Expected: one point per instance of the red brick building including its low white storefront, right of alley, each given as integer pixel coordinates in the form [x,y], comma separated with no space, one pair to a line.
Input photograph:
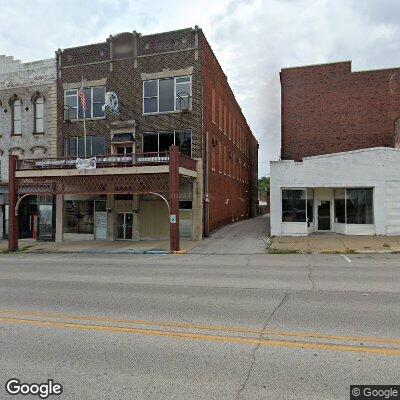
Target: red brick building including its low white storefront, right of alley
[339,152]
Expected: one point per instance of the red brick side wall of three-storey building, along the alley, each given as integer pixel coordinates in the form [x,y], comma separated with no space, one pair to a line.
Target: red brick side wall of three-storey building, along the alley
[232,149]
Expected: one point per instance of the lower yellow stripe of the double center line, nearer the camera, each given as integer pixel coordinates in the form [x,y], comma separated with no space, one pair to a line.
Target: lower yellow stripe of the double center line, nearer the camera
[204,337]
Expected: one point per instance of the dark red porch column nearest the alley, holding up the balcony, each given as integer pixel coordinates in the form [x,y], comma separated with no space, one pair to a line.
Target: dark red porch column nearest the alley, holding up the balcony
[174,198]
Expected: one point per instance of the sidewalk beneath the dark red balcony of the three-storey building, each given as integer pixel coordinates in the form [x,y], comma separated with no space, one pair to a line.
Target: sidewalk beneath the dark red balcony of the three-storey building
[97,246]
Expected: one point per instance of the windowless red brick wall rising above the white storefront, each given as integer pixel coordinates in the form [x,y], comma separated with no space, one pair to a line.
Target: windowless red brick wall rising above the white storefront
[328,109]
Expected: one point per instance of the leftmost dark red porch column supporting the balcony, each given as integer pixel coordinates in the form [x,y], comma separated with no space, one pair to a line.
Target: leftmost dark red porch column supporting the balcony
[12,202]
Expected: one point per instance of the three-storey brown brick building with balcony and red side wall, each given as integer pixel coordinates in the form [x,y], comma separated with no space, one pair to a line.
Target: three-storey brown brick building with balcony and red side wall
[171,91]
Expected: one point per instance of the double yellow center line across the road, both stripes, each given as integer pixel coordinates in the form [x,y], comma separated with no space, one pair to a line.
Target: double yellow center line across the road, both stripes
[210,333]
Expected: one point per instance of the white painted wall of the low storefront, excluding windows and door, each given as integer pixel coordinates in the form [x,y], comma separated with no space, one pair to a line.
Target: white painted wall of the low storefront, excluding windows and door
[375,167]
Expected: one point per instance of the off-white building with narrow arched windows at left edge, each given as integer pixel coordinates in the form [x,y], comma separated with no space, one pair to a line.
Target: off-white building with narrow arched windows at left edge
[28,130]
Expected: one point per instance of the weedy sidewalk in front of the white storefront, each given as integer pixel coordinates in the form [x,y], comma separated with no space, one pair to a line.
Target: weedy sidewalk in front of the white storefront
[333,243]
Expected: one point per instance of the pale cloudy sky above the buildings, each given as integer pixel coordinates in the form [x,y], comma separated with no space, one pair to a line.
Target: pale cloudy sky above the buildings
[252,39]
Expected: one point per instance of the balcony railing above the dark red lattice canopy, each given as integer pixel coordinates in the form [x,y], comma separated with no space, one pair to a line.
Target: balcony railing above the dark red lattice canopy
[106,161]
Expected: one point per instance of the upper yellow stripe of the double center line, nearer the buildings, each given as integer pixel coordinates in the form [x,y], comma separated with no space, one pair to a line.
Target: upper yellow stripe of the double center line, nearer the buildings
[204,327]
